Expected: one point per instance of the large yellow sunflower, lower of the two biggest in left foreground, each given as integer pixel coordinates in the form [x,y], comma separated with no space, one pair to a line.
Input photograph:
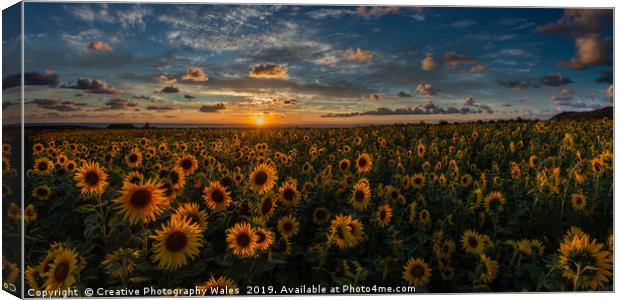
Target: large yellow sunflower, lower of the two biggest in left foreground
[175,242]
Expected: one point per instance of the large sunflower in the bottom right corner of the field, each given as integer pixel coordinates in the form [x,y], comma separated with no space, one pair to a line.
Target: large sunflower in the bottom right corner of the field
[583,262]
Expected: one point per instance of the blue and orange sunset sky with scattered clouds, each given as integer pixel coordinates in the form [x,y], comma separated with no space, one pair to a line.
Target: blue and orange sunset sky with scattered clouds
[265,65]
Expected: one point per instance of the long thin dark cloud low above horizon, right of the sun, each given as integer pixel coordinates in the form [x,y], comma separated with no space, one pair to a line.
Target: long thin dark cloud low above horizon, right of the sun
[426,109]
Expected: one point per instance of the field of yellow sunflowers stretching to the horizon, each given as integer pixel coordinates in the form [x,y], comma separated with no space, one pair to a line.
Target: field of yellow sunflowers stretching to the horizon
[477,207]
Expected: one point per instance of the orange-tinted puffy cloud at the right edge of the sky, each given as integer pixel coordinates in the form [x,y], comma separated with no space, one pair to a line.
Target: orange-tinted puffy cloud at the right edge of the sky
[591,51]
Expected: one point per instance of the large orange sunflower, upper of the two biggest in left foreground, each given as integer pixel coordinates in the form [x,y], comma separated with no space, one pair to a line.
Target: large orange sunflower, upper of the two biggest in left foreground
[143,202]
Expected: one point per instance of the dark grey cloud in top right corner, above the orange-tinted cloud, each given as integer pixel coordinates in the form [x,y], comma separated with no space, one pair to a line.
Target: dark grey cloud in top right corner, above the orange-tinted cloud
[579,22]
